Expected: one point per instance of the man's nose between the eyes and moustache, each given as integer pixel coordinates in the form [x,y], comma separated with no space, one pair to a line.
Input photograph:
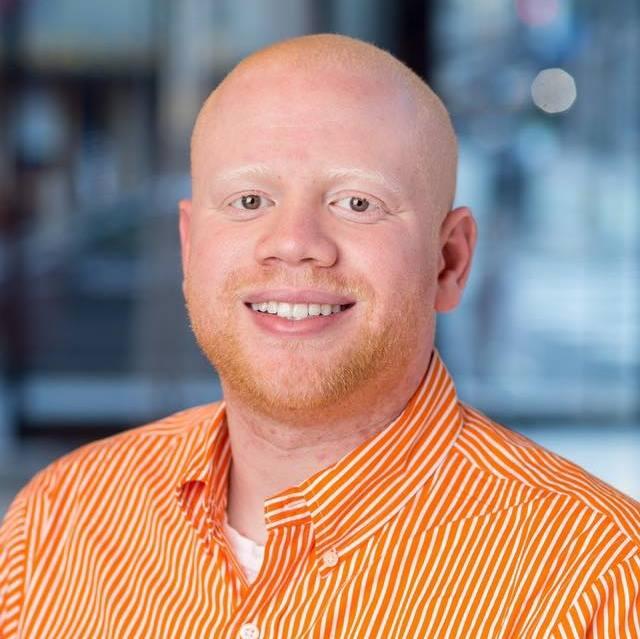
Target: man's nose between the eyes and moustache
[297,231]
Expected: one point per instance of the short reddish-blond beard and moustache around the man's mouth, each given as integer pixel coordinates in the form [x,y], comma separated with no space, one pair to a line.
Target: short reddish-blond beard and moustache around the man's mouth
[297,379]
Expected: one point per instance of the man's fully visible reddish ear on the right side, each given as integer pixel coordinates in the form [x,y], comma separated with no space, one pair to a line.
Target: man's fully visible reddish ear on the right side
[458,235]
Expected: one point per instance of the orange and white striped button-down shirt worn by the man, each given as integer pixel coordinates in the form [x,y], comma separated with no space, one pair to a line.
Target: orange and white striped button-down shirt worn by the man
[445,524]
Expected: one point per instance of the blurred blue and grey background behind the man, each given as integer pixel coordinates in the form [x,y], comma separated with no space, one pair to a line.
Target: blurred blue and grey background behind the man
[97,101]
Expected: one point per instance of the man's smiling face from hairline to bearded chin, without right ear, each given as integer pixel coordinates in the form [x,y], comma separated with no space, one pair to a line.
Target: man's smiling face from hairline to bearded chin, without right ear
[282,173]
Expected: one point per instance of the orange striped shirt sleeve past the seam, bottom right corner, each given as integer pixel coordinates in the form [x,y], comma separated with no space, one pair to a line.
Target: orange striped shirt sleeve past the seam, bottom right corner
[610,608]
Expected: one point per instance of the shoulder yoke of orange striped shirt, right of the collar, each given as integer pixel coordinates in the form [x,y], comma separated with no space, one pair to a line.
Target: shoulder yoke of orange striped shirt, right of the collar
[508,455]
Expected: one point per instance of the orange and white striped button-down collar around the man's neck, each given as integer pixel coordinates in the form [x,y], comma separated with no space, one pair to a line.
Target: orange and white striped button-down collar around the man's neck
[347,501]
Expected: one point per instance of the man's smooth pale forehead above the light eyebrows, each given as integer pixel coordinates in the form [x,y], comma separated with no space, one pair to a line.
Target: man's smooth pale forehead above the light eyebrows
[280,104]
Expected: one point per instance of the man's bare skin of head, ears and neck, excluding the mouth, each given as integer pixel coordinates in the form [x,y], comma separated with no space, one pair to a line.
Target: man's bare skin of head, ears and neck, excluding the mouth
[315,113]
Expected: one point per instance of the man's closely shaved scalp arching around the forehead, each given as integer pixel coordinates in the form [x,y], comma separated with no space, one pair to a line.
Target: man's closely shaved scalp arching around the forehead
[320,56]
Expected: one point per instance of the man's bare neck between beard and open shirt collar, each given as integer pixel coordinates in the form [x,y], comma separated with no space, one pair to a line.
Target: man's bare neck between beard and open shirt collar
[269,456]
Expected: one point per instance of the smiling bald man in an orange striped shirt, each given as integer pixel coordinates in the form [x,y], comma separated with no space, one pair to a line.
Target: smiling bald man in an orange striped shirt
[340,489]
